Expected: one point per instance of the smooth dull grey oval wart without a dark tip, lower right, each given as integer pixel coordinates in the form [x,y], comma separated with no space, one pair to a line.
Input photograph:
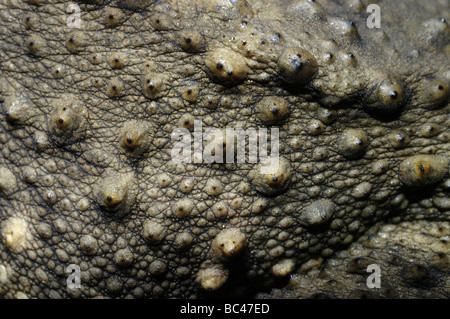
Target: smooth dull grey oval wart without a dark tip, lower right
[317,213]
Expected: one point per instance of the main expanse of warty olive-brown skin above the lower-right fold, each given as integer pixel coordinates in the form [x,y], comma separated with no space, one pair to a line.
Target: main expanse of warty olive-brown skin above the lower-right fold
[90,98]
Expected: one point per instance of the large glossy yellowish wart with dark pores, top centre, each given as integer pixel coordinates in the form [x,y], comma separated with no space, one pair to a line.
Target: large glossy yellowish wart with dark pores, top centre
[226,67]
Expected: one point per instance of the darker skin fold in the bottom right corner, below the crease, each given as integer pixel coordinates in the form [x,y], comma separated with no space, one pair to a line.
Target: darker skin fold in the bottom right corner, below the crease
[412,257]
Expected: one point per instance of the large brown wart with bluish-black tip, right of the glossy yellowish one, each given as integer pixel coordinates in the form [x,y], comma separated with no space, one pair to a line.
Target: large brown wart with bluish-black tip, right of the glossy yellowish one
[297,66]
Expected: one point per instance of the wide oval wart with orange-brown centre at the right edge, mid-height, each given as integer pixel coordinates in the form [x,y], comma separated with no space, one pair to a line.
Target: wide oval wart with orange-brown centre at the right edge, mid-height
[423,170]
